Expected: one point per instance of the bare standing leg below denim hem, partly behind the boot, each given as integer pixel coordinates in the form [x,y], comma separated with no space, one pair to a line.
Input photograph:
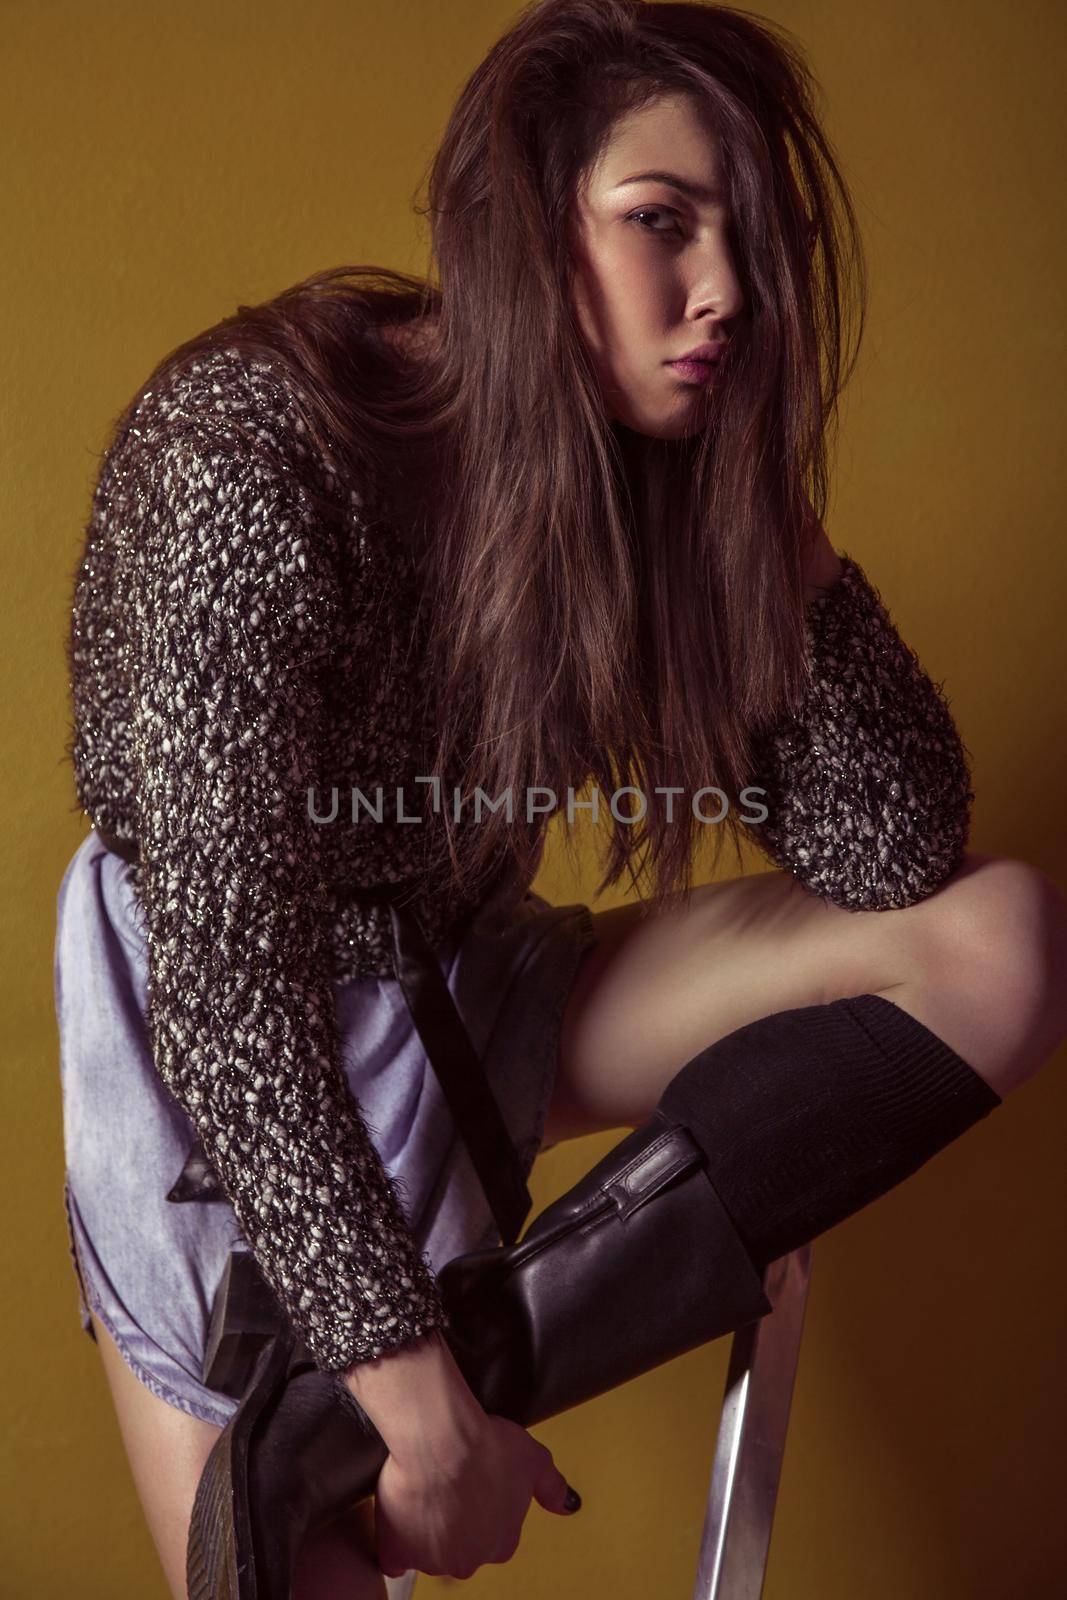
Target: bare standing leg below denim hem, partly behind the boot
[167,1450]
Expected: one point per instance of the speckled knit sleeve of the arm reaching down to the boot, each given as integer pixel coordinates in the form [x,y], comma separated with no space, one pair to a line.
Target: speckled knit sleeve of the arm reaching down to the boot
[231,606]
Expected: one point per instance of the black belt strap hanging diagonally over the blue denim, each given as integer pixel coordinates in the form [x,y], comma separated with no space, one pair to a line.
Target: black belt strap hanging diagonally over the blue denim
[449,1049]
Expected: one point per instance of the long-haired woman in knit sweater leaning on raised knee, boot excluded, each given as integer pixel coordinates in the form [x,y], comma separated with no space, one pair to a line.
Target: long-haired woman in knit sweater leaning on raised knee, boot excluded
[551,526]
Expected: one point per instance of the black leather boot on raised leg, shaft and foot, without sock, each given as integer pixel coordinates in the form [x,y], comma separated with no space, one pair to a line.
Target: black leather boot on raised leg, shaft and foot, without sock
[601,1289]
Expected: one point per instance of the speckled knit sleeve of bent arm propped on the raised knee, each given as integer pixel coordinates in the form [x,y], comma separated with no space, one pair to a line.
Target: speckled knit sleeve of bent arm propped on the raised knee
[868,788]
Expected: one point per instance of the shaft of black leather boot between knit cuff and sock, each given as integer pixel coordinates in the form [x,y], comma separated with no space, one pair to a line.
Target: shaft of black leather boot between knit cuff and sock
[631,1268]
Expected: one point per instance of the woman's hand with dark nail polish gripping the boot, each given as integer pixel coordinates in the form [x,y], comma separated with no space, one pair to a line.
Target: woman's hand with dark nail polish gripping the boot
[449,1511]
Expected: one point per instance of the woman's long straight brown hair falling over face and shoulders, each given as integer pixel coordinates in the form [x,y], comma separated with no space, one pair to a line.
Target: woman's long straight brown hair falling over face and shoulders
[602,607]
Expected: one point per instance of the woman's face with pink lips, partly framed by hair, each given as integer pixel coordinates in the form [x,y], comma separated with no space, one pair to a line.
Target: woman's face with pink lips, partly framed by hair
[653,270]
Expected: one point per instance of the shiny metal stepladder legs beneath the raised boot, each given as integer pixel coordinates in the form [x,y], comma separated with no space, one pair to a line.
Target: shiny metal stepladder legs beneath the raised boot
[751,1444]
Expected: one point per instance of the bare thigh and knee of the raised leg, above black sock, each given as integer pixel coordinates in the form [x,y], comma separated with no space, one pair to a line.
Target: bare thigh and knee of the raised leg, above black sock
[657,991]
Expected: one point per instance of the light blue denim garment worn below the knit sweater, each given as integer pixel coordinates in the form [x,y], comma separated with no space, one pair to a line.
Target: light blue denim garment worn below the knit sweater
[150,1266]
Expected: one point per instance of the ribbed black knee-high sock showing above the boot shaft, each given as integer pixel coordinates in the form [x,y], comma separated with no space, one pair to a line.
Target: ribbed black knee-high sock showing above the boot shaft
[810,1114]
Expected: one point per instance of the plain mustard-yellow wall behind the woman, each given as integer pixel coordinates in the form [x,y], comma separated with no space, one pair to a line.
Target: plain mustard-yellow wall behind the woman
[166,162]
